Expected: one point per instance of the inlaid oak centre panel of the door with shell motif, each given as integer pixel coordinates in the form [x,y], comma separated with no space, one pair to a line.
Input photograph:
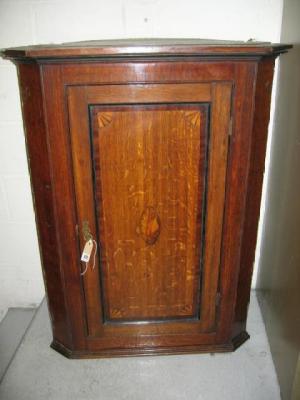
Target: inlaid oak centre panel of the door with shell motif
[149,167]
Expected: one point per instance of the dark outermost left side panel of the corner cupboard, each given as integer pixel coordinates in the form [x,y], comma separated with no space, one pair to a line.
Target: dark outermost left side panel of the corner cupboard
[37,152]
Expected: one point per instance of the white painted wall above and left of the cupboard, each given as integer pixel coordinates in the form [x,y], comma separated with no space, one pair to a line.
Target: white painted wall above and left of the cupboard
[40,21]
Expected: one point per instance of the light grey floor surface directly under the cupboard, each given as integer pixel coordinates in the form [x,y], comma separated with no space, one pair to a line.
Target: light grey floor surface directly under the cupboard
[38,372]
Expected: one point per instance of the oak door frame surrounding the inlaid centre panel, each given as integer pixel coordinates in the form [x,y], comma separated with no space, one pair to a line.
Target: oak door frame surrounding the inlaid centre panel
[219,96]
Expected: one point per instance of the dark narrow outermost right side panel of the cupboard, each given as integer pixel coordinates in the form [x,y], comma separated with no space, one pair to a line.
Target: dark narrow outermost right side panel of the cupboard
[256,172]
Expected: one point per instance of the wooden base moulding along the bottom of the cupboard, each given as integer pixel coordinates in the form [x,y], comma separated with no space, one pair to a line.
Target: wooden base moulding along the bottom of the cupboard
[236,342]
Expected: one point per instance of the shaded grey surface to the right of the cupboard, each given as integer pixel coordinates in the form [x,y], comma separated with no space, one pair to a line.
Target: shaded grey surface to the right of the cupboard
[279,273]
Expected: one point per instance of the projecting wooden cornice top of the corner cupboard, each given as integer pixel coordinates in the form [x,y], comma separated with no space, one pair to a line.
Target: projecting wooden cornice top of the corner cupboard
[145,47]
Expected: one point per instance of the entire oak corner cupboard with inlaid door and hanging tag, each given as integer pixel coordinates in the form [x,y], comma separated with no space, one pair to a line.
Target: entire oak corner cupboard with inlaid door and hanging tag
[146,160]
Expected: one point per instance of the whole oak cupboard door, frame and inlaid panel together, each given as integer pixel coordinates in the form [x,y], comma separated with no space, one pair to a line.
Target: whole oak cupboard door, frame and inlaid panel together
[149,164]
